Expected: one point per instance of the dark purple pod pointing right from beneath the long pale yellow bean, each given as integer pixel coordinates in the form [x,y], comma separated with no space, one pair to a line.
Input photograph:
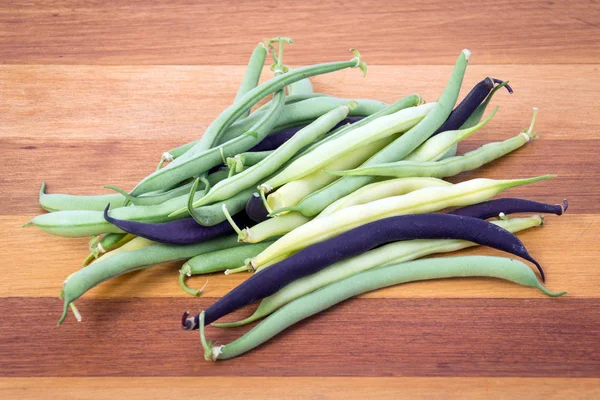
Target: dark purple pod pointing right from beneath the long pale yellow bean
[493,208]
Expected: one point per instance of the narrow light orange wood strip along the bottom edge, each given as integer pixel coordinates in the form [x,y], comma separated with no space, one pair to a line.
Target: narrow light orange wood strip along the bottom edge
[300,388]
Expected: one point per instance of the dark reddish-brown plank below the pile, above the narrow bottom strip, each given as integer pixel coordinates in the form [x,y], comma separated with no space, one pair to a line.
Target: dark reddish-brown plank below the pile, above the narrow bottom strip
[360,337]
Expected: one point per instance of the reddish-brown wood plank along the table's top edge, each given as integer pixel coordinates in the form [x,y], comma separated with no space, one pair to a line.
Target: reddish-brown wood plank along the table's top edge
[223,32]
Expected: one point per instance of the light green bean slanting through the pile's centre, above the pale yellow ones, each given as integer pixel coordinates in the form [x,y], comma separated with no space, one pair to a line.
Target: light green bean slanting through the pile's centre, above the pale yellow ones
[273,161]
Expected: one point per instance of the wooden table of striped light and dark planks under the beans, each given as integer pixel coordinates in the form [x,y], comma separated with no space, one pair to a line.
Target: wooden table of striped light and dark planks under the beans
[93,93]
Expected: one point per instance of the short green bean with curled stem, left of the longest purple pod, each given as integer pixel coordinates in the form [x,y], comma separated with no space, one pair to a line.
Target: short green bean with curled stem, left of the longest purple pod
[217,261]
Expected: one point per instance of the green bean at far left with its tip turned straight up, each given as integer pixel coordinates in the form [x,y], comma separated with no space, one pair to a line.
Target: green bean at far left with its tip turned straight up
[59,202]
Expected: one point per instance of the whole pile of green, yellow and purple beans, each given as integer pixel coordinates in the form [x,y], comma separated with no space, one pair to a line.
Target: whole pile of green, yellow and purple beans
[319,198]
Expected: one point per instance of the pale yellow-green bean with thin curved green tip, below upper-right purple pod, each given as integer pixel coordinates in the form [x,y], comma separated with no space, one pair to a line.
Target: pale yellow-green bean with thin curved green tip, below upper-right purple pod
[435,148]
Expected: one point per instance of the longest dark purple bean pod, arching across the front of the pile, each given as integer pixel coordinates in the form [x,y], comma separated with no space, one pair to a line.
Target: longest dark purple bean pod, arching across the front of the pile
[357,241]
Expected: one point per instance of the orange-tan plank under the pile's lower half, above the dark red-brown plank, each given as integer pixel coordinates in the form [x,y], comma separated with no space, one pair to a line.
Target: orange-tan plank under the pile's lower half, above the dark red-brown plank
[565,246]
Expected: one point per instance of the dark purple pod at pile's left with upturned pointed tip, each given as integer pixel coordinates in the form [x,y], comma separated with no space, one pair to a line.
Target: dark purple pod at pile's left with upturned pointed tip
[182,231]
